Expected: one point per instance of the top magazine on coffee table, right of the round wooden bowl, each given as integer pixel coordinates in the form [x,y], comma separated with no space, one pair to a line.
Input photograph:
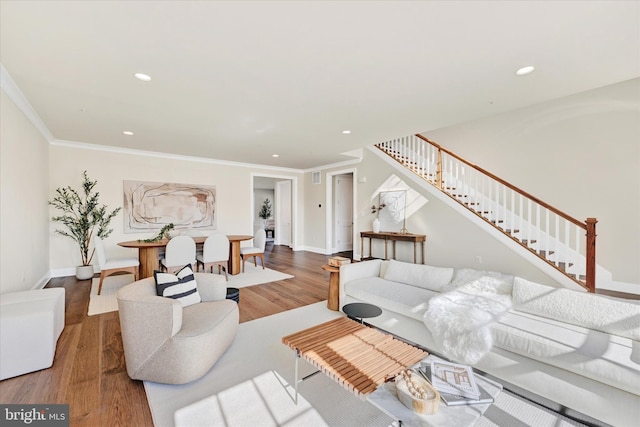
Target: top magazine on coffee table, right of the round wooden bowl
[454,379]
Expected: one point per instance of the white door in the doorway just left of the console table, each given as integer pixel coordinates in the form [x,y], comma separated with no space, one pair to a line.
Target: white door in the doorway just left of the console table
[343,212]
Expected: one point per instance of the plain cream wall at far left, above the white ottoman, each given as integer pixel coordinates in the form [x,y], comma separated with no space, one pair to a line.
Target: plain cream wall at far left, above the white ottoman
[24,212]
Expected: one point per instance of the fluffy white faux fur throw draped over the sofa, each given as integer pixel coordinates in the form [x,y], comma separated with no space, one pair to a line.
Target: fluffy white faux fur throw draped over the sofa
[460,320]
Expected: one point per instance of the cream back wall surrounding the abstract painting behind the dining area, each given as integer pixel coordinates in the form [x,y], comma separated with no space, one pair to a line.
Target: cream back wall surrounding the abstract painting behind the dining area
[111,168]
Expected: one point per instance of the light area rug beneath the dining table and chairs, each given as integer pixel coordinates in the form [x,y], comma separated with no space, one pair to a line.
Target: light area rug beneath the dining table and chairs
[106,301]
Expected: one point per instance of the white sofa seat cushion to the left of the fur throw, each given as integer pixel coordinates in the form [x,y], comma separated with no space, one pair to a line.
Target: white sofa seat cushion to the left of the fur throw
[408,300]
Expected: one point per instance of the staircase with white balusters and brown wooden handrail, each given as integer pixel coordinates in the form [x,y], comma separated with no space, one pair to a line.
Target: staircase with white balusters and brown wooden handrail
[564,243]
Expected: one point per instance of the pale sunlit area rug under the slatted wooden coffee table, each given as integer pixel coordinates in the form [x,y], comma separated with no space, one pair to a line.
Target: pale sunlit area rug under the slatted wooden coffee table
[251,386]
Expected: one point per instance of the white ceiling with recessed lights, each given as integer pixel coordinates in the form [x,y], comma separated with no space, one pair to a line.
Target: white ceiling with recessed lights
[244,80]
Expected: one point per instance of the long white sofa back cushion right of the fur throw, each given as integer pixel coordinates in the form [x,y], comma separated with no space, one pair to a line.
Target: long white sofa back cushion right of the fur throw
[610,315]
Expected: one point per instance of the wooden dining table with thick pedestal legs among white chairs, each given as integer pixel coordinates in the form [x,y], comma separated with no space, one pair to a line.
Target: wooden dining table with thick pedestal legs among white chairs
[149,253]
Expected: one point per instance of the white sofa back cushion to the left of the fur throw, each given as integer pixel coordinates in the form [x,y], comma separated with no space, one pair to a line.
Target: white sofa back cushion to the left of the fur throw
[420,275]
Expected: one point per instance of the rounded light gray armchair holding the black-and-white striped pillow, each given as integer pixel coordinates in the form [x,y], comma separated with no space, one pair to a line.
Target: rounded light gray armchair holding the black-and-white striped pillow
[166,343]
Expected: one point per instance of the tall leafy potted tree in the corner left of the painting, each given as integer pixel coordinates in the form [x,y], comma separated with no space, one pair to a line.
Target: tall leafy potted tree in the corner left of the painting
[82,215]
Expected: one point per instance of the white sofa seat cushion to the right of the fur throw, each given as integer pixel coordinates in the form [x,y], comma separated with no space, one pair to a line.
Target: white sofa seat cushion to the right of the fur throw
[596,355]
